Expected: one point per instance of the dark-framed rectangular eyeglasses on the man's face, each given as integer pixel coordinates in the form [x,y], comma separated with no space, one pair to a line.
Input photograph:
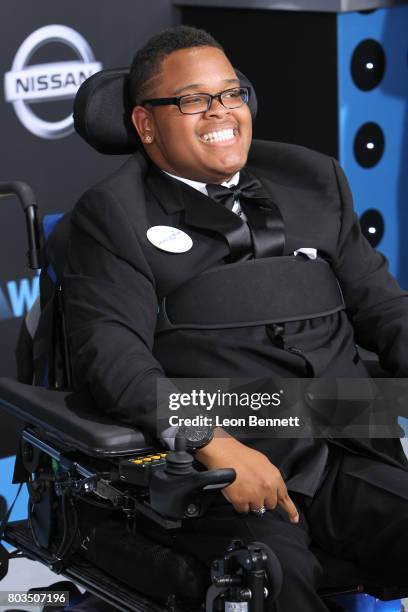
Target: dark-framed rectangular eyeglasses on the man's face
[192,104]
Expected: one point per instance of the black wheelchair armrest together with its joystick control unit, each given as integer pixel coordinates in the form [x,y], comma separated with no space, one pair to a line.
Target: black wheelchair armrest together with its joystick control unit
[71,420]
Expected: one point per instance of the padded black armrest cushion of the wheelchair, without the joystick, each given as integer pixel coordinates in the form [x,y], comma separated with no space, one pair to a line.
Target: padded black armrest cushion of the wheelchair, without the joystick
[72,419]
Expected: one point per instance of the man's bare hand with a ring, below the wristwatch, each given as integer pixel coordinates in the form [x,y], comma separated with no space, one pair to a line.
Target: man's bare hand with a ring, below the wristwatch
[258,482]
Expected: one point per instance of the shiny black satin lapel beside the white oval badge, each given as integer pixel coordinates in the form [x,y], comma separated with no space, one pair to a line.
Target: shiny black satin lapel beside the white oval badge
[200,211]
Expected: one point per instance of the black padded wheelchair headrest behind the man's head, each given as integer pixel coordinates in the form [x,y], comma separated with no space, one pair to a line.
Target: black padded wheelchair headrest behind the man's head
[102,110]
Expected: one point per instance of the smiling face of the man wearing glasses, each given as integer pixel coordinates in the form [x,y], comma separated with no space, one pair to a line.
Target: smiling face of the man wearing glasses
[209,147]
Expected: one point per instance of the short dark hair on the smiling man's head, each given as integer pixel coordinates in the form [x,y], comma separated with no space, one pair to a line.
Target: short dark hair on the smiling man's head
[148,59]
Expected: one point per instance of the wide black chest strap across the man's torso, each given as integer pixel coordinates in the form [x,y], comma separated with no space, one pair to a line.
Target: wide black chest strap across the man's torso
[253,292]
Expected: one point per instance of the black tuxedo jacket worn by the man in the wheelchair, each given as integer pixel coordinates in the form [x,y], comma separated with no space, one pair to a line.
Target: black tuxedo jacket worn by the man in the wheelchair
[115,279]
